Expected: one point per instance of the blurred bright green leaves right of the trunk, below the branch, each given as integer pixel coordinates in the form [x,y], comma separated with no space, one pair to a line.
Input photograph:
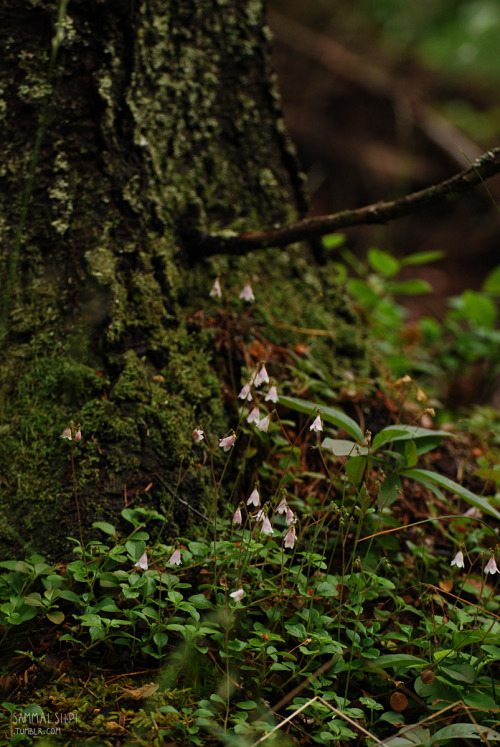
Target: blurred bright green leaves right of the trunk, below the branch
[439,351]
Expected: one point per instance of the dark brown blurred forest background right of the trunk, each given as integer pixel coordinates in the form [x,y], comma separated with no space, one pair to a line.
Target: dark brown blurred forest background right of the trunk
[381,98]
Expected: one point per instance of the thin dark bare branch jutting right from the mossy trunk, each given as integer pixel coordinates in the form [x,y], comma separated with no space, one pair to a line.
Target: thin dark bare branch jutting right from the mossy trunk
[206,245]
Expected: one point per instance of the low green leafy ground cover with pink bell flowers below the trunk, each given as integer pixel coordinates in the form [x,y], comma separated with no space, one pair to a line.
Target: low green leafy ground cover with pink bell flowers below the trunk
[310,616]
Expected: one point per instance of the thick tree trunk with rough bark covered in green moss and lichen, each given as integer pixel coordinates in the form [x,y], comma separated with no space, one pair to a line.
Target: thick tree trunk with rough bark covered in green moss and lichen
[154,120]
